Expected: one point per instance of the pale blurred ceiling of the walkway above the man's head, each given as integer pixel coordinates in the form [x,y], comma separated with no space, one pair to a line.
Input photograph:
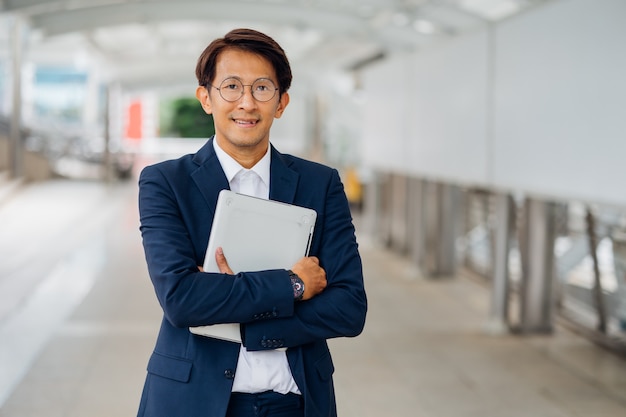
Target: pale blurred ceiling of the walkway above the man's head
[156,42]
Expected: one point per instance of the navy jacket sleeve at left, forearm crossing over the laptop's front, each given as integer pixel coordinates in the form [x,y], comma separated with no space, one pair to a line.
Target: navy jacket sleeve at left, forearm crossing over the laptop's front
[169,210]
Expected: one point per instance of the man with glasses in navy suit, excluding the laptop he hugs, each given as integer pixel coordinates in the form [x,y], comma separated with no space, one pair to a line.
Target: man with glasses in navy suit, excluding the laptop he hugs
[283,367]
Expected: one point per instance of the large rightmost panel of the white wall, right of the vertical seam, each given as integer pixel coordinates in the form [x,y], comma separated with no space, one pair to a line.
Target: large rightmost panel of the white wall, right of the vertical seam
[560,108]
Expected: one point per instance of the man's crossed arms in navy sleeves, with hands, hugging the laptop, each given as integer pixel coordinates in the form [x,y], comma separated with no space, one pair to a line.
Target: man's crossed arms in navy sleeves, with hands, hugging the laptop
[335,303]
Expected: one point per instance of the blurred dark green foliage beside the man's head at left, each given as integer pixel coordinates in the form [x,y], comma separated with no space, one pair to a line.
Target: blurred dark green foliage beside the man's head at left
[184,117]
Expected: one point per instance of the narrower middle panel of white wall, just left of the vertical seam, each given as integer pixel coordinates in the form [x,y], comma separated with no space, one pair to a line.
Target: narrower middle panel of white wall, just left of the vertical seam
[447,112]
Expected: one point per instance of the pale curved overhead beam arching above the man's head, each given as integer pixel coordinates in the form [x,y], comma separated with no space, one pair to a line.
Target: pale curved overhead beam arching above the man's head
[57,21]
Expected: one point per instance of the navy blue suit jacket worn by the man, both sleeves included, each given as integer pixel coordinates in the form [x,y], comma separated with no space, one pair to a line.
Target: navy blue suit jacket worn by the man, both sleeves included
[191,375]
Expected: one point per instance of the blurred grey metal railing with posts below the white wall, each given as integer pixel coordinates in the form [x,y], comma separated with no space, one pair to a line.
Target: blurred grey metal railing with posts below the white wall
[580,271]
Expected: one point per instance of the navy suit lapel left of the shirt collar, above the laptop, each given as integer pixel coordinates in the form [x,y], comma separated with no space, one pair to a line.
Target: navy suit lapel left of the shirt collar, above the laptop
[209,177]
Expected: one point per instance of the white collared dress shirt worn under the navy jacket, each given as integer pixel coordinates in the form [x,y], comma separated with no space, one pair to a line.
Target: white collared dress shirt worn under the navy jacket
[266,370]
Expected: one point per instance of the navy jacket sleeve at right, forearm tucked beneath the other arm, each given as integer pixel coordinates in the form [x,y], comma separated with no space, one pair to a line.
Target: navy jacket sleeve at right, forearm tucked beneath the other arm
[340,309]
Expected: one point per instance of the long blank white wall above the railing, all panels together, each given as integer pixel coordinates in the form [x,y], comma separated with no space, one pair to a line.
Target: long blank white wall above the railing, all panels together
[537,105]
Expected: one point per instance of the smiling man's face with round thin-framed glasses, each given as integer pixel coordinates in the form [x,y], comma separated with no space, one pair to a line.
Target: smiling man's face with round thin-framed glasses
[242,126]
